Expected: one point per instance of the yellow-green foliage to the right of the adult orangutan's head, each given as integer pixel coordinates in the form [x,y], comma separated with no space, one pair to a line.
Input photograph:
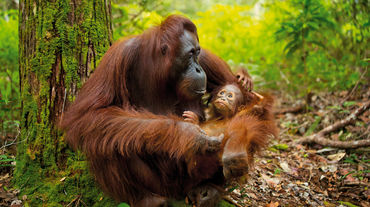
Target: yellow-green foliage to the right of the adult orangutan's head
[286,43]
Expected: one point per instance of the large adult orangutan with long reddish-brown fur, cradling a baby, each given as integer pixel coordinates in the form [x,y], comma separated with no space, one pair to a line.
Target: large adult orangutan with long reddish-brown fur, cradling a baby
[127,116]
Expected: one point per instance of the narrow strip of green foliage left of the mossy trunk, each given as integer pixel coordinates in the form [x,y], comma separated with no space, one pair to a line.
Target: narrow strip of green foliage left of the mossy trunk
[9,75]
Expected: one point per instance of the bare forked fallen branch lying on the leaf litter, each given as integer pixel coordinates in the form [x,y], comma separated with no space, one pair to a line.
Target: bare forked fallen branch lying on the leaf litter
[319,138]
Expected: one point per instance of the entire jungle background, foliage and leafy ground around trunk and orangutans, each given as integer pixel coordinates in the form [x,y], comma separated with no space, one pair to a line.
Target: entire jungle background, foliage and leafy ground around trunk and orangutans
[313,55]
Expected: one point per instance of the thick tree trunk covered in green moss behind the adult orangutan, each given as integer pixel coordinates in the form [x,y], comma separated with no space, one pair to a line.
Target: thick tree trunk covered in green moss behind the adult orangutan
[60,43]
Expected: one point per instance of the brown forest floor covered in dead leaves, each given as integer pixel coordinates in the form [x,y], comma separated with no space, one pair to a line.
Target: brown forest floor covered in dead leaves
[287,173]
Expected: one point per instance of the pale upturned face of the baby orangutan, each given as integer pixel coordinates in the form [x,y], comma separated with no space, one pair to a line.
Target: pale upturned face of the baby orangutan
[227,100]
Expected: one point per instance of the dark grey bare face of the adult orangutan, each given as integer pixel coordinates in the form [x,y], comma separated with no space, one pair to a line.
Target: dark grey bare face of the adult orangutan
[193,79]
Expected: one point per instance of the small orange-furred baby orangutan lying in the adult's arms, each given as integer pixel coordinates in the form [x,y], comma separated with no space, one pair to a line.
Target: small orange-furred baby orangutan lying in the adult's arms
[230,109]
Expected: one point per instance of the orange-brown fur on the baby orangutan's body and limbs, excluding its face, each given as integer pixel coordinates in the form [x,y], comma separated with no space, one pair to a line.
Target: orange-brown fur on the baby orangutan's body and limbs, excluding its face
[246,132]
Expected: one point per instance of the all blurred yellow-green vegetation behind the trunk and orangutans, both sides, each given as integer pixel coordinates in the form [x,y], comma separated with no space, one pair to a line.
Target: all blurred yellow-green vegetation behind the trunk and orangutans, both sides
[294,46]
